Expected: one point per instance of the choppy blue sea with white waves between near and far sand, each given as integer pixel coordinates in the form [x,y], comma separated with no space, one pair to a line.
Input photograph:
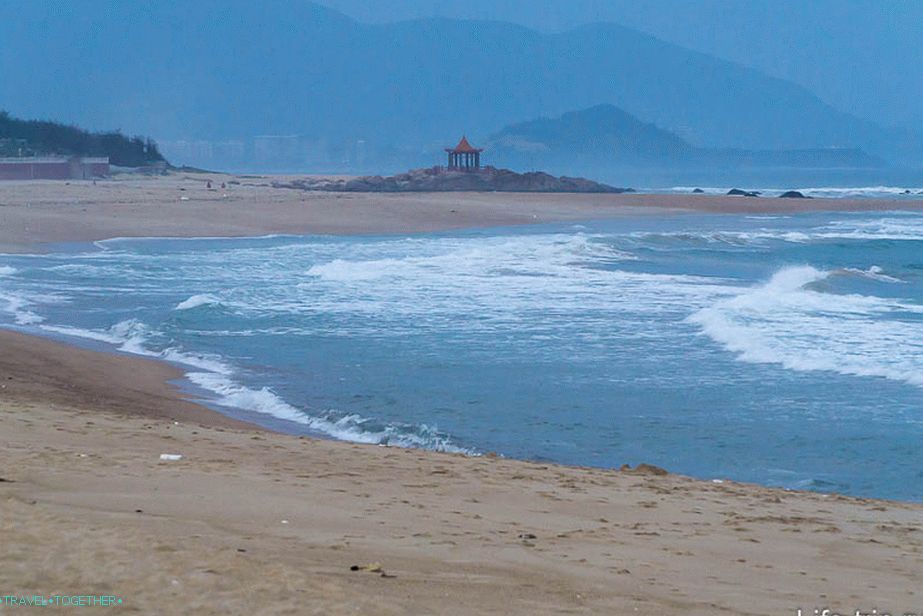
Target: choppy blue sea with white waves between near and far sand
[781,350]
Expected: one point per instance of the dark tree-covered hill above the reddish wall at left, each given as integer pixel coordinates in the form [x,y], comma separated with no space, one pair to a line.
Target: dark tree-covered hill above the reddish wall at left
[40,138]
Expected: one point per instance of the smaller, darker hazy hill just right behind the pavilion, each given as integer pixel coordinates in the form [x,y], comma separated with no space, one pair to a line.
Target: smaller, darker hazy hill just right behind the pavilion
[604,138]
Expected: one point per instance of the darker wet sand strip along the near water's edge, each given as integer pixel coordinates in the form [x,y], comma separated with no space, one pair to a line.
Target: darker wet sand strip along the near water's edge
[38,367]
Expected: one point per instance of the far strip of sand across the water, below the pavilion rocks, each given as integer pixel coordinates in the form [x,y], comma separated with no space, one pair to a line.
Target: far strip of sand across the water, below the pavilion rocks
[36,214]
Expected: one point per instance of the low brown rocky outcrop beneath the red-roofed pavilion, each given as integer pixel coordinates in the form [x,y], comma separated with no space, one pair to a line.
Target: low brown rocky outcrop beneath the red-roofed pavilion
[437,179]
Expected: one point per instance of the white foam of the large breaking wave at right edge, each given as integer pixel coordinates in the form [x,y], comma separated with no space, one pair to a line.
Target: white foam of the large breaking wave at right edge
[786,322]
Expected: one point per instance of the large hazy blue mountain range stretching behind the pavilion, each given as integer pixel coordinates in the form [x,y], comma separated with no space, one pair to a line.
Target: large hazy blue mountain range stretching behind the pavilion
[392,94]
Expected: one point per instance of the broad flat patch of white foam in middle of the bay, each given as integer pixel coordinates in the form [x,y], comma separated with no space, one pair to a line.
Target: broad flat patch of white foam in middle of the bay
[488,284]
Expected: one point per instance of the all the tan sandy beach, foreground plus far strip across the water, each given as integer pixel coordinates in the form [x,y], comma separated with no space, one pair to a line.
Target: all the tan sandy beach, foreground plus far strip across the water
[253,522]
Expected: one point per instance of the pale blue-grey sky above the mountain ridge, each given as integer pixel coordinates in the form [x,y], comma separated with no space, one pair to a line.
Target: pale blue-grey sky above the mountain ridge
[861,56]
